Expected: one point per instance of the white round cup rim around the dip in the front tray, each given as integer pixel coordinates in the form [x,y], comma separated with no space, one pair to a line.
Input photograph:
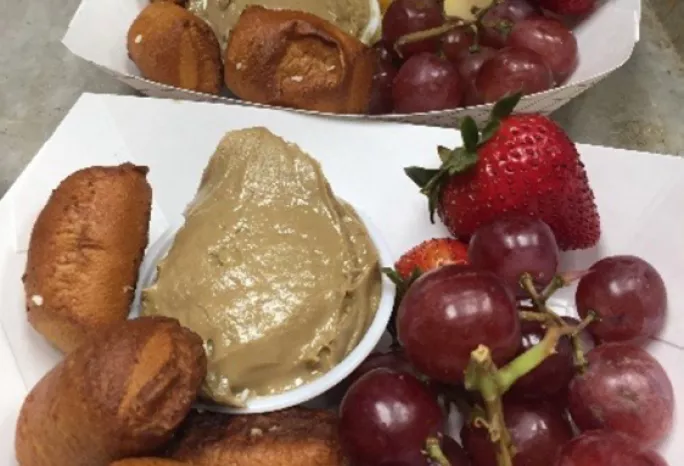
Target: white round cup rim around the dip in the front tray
[315,388]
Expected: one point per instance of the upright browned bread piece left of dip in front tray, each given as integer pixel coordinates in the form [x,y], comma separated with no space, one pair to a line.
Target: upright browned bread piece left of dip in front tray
[84,253]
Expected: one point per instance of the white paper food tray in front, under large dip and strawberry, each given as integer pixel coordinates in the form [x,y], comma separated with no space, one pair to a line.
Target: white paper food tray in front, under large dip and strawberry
[639,197]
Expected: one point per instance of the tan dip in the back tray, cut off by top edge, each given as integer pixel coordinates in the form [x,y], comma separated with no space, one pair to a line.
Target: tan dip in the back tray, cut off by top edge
[352,16]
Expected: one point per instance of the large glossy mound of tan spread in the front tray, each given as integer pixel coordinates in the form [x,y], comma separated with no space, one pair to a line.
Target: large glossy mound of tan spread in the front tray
[278,276]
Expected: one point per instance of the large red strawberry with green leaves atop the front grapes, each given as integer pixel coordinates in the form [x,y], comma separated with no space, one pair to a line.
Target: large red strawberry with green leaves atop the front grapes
[519,163]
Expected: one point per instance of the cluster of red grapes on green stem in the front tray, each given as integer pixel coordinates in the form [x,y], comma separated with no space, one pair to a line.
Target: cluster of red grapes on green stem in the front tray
[534,389]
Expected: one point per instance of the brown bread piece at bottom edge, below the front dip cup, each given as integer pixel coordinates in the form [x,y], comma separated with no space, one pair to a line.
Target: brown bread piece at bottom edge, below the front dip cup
[296,436]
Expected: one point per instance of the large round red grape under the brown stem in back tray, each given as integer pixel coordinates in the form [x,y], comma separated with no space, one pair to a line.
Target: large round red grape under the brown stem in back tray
[426,82]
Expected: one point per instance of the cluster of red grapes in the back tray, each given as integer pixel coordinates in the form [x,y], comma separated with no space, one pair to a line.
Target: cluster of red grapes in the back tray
[511,48]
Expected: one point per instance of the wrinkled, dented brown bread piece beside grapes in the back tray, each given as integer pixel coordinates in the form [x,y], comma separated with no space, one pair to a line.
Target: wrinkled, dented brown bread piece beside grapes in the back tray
[296,59]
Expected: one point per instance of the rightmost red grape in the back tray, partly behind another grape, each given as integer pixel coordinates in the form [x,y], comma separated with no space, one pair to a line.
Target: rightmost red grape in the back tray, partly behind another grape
[550,39]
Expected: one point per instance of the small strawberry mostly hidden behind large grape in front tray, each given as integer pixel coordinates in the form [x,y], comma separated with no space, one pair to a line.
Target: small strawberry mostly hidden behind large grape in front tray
[431,254]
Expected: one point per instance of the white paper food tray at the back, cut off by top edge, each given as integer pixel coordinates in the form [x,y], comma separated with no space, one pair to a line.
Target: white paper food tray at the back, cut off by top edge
[606,40]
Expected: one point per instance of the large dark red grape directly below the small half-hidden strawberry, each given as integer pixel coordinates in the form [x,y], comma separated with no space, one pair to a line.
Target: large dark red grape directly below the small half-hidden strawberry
[449,312]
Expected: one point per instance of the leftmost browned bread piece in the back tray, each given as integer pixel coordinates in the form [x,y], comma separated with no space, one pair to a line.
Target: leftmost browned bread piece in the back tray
[172,46]
